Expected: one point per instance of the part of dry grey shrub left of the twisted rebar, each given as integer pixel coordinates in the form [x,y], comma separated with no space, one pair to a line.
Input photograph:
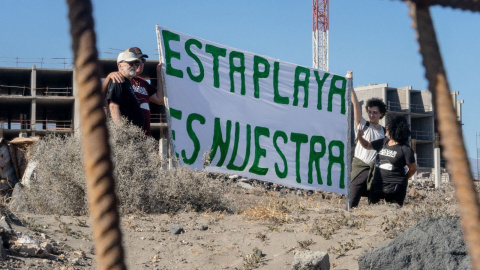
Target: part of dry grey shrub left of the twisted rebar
[59,187]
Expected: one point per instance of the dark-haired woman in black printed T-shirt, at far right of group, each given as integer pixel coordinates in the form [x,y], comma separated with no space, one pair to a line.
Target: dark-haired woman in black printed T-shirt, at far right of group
[393,154]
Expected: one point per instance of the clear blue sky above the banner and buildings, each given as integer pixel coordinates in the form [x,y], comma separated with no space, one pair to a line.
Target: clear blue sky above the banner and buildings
[373,38]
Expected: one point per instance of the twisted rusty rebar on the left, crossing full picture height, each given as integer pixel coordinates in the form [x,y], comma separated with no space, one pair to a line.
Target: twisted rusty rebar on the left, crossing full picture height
[98,166]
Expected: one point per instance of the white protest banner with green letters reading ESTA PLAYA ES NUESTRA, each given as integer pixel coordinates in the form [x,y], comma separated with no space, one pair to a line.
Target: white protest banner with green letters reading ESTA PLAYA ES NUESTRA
[255,116]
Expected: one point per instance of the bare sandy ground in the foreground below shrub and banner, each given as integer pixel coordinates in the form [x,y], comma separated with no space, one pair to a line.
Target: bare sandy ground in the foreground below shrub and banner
[219,240]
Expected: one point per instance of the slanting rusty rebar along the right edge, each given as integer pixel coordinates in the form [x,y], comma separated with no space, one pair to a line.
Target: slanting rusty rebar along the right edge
[450,130]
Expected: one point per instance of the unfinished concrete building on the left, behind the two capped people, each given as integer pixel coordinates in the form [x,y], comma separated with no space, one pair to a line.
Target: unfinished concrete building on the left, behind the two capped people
[37,101]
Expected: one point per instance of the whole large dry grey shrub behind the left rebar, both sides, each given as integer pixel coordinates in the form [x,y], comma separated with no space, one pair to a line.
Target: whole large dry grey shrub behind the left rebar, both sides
[142,182]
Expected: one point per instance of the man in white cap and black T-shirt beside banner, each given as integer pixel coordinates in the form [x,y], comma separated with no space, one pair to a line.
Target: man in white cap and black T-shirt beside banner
[121,98]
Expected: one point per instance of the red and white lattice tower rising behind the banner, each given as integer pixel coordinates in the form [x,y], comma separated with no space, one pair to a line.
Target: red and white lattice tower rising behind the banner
[320,34]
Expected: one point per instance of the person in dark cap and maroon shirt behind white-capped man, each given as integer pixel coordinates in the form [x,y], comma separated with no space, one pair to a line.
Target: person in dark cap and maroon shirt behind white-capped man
[144,91]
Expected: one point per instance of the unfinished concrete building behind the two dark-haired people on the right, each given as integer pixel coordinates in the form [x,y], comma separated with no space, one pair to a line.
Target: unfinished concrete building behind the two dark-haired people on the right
[416,106]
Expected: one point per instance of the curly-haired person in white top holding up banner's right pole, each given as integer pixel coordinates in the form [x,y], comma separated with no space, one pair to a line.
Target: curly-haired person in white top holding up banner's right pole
[363,164]
